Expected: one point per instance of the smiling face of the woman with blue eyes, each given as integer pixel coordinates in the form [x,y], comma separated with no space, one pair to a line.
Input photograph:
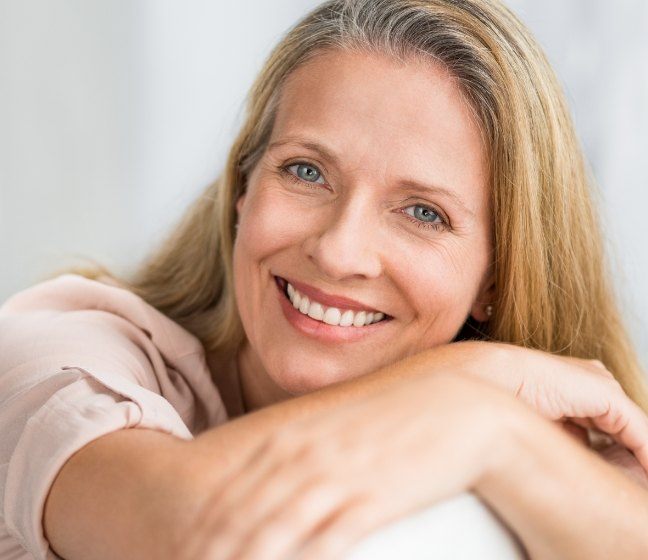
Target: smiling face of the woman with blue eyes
[391,211]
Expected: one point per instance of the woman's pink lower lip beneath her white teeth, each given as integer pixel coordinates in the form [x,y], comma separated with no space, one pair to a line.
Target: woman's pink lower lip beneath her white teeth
[323,331]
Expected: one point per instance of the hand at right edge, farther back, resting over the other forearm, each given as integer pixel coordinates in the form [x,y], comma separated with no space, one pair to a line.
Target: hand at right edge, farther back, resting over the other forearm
[565,390]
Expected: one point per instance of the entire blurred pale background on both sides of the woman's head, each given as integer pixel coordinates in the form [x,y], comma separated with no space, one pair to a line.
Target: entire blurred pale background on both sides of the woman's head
[114,114]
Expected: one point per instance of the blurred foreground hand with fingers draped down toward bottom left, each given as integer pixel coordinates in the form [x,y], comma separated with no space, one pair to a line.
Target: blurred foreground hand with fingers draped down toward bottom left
[321,484]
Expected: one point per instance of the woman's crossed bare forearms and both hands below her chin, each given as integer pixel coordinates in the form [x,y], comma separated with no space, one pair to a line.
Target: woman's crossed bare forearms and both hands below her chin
[242,484]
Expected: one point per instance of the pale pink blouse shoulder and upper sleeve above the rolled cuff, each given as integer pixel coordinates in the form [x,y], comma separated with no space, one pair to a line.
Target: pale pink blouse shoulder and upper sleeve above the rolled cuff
[112,335]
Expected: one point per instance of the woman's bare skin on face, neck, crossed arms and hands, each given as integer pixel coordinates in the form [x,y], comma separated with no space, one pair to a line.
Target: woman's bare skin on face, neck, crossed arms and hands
[306,477]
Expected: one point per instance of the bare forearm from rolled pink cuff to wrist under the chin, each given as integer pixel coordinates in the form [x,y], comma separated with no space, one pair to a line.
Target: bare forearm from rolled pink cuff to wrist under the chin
[128,494]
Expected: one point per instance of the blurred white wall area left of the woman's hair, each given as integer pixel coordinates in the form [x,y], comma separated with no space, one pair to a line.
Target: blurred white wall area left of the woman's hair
[113,115]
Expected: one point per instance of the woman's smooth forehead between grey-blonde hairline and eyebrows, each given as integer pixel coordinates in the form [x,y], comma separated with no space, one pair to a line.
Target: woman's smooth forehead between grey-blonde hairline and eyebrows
[376,113]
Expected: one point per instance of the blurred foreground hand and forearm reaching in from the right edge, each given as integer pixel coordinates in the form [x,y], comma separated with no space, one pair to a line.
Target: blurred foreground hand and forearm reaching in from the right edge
[430,433]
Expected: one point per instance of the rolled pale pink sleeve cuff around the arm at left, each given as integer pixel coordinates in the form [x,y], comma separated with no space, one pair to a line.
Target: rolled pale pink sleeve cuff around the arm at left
[92,405]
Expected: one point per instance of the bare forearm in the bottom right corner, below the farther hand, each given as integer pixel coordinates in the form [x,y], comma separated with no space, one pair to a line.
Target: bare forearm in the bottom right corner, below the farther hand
[561,499]
